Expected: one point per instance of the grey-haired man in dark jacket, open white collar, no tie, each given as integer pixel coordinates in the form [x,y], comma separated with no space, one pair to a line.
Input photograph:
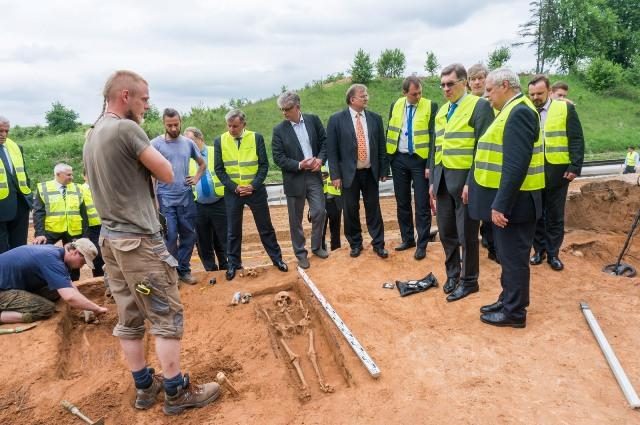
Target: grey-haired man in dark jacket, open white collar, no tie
[299,149]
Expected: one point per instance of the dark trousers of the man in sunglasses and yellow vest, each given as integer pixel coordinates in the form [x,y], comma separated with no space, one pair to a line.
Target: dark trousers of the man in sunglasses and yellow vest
[457,230]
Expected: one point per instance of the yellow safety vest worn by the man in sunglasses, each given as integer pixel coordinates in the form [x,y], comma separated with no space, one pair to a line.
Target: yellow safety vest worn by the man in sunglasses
[455,139]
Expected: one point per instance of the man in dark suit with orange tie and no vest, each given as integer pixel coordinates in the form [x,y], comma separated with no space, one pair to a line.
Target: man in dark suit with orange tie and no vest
[357,161]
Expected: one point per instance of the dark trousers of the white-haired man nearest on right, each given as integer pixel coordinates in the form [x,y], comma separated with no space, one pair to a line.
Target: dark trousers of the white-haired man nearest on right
[515,242]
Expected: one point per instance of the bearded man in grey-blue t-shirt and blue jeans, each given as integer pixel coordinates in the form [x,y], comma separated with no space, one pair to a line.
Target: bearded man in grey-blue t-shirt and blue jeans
[175,199]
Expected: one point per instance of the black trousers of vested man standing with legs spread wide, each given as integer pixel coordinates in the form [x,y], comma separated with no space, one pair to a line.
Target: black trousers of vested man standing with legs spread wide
[260,210]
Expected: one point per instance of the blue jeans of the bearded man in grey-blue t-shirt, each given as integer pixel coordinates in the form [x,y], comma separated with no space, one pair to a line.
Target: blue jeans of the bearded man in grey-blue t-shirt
[181,232]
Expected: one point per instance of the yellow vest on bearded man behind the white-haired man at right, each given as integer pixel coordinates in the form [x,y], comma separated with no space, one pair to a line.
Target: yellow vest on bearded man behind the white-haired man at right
[556,142]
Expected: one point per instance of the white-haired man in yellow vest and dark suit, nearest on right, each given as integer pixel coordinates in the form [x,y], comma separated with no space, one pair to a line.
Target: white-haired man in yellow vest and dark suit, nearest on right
[506,188]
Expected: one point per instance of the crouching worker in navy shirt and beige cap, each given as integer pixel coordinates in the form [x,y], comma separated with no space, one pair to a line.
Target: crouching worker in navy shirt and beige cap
[33,277]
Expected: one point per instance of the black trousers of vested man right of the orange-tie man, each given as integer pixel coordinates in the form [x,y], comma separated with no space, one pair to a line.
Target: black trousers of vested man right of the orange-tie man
[407,170]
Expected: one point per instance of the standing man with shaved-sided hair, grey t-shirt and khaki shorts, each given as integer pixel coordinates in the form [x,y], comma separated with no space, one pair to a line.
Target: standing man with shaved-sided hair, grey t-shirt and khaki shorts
[120,162]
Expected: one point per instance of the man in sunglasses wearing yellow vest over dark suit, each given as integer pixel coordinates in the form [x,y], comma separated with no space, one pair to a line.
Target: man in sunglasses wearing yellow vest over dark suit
[459,124]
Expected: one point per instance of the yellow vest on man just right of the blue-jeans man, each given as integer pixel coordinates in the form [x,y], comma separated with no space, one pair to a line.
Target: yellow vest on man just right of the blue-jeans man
[240,164]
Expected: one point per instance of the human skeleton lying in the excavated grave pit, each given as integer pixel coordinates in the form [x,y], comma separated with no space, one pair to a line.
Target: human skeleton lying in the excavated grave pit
[288,328]
